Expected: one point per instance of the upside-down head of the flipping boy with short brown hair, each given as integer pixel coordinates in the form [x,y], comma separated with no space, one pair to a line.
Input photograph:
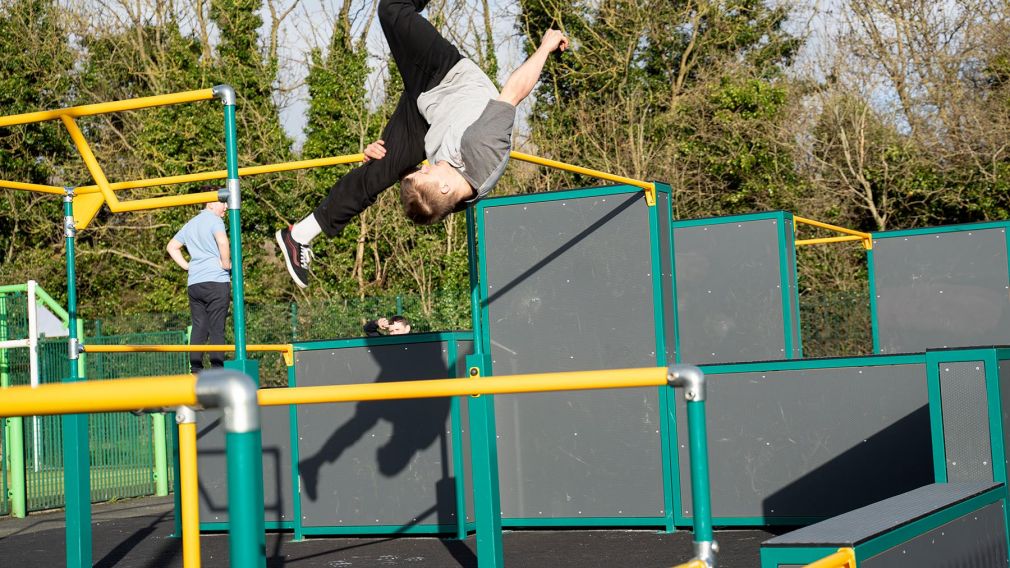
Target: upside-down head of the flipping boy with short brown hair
[432,193]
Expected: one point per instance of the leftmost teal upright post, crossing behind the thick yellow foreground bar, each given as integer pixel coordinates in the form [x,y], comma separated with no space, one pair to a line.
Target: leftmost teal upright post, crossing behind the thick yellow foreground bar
[77,482]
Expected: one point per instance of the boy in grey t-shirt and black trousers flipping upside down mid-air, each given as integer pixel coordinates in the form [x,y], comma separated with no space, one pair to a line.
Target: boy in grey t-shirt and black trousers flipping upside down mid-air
[450,113]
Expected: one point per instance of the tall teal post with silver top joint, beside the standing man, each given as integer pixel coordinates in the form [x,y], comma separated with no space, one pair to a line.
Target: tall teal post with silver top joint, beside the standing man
[242,362]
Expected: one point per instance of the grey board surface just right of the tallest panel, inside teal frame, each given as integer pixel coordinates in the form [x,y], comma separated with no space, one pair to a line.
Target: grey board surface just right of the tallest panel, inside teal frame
[730,293]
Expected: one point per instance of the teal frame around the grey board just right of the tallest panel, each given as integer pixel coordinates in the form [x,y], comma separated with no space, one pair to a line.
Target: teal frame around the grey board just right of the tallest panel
[787,260]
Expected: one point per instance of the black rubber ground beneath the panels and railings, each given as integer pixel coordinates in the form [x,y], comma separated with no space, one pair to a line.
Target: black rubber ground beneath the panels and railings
[138,535]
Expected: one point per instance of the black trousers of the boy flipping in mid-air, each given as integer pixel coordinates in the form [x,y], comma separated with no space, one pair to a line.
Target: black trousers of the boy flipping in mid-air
[424,58]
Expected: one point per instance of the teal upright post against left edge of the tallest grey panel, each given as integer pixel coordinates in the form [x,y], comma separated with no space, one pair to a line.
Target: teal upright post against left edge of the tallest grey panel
[483,431]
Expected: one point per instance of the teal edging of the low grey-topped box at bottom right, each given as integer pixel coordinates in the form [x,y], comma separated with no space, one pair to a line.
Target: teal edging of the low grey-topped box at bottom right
[773,557]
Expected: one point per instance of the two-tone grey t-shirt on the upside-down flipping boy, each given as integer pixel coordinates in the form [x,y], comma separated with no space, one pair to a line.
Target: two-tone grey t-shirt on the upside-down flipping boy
[469,128]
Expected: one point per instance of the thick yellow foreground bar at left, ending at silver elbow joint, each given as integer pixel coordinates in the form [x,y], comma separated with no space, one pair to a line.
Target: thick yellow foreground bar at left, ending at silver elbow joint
[99,397]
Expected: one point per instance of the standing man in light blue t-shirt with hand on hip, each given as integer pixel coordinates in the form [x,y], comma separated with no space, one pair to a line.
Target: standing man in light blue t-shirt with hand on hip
[210,282]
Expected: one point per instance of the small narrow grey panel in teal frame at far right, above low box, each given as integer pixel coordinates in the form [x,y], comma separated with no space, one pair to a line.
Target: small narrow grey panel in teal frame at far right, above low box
[966,422]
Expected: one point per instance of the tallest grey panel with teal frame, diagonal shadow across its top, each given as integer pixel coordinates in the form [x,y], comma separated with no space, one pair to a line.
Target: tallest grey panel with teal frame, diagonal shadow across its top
[560,228]
